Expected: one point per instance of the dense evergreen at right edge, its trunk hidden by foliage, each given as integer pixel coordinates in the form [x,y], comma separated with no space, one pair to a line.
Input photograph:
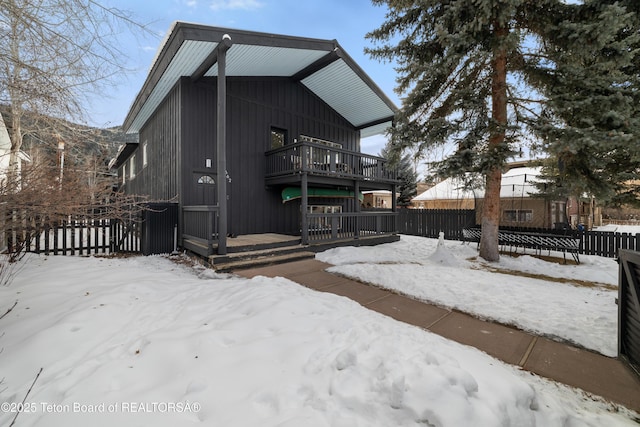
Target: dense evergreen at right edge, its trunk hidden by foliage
[591,122]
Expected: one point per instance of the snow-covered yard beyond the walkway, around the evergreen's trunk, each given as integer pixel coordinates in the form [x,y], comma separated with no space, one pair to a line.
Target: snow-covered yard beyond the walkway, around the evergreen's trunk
[464,283]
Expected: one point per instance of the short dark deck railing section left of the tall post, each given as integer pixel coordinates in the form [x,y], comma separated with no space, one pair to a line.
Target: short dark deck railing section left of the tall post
[200,228]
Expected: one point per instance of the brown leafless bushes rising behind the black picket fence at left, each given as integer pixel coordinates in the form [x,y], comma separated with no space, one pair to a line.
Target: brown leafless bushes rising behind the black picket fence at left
[50,193]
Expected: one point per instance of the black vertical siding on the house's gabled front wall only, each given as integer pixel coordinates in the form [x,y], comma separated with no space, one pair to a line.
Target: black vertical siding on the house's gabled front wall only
[253,107]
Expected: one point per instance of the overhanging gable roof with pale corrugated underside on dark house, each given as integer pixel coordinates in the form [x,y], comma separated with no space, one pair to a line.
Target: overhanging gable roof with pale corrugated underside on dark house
[322,66]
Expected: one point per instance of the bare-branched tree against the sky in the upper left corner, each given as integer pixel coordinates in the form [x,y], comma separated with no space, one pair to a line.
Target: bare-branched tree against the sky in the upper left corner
[56,55]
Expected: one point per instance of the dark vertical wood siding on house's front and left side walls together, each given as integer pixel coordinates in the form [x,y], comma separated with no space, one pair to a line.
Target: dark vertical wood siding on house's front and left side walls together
[181,136]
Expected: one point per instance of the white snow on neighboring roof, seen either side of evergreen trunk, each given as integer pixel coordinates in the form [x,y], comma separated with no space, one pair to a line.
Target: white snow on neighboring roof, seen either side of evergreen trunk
[517,182]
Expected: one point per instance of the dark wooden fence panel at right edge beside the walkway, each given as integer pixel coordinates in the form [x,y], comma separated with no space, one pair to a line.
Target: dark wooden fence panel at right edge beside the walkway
[629,309]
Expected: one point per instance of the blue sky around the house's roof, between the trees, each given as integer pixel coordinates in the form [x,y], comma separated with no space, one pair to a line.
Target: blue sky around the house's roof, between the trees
[347,21]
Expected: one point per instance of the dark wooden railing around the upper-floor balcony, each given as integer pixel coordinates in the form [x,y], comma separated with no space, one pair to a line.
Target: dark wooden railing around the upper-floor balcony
[322,160]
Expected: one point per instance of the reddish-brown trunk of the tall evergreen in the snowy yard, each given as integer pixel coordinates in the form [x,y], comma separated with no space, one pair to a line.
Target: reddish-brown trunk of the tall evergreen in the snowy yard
[489,247]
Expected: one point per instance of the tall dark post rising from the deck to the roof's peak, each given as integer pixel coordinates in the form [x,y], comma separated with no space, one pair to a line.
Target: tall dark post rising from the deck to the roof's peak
[221,141]
